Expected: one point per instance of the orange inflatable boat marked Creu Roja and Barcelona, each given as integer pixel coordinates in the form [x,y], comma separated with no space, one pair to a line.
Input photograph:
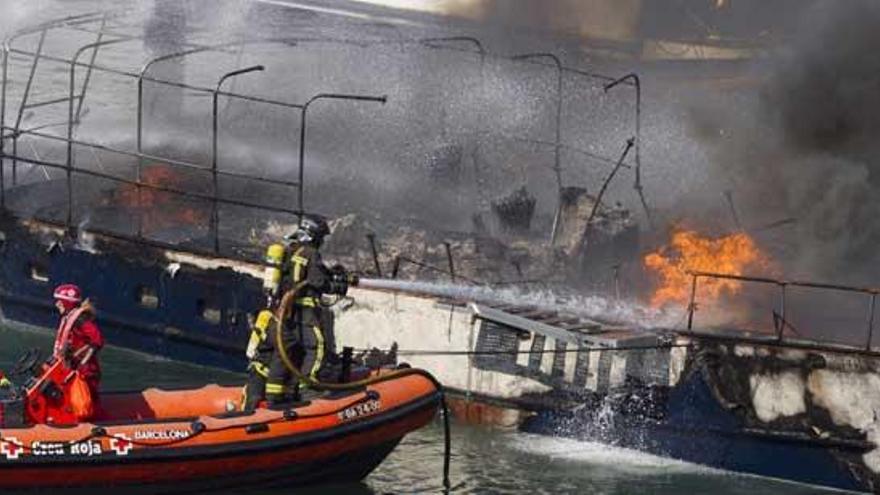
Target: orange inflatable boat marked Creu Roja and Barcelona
[175,441]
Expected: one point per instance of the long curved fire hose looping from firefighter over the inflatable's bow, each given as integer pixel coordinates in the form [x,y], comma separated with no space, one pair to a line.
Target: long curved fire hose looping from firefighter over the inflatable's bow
[285,310]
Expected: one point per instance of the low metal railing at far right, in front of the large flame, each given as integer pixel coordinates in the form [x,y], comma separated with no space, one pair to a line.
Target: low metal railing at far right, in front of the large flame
[782,308]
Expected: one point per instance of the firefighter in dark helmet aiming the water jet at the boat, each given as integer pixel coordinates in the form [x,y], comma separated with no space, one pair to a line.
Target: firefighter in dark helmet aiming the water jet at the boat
[303,335]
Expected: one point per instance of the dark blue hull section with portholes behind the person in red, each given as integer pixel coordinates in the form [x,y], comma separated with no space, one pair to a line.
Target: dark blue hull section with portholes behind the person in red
[146,302]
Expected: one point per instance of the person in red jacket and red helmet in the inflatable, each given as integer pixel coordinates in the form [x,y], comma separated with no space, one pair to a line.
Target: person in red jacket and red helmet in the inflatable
[78,339]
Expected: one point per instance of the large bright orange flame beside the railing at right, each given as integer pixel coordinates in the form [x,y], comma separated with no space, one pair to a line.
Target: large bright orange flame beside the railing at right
[689,251]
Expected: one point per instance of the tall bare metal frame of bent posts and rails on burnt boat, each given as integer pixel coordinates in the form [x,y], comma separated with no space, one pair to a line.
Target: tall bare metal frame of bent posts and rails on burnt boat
[85,58]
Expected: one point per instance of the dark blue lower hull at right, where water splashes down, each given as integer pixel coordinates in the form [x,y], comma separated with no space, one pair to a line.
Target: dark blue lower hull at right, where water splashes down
[690,425]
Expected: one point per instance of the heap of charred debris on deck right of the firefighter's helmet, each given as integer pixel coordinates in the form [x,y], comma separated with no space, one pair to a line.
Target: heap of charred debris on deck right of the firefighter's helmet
[502,250]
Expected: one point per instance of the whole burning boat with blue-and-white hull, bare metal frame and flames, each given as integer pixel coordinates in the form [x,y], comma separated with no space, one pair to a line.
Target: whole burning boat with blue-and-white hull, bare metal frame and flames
[153,247]
